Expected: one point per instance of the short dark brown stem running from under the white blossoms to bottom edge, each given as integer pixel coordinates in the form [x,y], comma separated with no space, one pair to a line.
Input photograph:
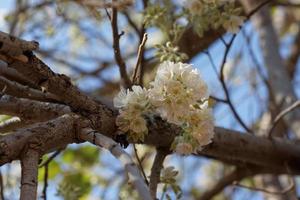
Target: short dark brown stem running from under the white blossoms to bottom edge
[155,170]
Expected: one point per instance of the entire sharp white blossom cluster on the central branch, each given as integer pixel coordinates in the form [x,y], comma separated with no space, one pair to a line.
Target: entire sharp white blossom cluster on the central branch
[179,96]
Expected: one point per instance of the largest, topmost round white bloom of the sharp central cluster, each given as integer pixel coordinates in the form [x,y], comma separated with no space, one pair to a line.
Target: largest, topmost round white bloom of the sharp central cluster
[175,88]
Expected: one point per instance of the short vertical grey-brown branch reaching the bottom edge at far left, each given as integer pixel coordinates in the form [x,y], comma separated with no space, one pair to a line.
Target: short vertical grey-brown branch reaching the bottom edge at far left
[29,163]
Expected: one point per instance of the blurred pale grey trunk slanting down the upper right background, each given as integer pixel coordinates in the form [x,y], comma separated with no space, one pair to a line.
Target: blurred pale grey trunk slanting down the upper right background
[280,84]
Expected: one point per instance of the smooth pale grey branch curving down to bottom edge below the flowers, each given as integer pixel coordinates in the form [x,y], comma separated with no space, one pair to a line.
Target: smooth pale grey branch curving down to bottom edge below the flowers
[134,174]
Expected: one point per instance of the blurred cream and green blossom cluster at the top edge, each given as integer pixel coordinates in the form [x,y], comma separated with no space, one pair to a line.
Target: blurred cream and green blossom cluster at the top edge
[207,14]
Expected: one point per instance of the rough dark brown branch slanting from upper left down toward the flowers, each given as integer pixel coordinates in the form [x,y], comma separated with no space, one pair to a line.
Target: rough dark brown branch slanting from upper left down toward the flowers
[61,85]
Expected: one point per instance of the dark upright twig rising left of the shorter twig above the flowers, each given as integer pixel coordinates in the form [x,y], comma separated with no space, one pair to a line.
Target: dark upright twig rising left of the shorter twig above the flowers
[116,47]
